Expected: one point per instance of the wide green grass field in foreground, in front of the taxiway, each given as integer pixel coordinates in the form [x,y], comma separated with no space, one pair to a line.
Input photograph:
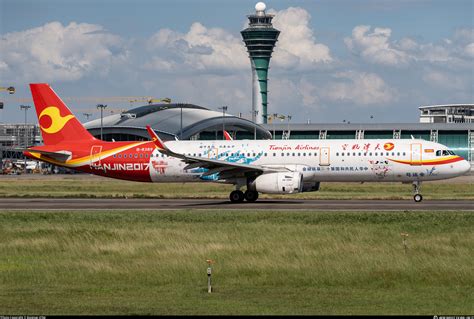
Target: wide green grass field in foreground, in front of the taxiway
[266,262]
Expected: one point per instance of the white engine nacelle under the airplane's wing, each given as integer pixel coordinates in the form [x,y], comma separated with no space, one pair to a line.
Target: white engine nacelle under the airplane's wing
[278,183]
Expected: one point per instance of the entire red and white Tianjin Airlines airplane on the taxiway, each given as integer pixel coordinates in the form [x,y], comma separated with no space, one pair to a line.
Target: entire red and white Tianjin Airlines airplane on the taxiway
[260,166]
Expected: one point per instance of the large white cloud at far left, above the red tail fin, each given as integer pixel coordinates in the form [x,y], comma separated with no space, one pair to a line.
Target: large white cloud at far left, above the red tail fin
[57,52]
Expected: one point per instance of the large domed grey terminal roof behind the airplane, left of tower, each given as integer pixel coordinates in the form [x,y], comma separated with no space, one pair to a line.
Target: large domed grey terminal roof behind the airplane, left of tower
[174,120]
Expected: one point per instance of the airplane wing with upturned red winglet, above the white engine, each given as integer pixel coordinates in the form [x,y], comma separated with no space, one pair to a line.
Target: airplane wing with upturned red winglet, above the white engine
[225,169]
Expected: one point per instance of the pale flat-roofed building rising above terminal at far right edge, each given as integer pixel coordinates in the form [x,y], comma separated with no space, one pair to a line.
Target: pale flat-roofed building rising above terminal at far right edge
[447,113]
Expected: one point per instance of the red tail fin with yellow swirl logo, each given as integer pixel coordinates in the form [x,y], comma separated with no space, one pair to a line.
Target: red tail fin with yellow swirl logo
[57,123]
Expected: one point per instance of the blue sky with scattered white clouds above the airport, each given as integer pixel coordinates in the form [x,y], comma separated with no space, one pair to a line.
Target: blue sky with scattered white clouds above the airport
[335,59]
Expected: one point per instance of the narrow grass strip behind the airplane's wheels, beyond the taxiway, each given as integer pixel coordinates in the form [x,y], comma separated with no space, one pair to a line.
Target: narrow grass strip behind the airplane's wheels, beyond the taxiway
[90,186]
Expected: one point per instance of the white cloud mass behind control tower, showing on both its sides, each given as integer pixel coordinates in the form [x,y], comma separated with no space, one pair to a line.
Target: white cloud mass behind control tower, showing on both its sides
[215,49]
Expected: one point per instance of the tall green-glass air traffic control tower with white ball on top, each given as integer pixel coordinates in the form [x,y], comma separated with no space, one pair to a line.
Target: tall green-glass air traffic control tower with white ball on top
[260,38]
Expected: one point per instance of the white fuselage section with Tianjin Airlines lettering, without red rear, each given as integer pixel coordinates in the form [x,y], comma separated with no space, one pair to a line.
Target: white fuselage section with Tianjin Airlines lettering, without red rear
[402,160]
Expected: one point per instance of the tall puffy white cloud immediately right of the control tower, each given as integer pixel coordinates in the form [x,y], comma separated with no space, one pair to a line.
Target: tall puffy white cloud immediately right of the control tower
[296,46]
